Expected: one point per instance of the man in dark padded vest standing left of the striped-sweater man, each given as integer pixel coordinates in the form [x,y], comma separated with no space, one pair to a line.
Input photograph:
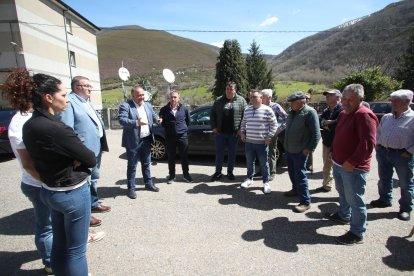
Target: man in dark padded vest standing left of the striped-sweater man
[225,118]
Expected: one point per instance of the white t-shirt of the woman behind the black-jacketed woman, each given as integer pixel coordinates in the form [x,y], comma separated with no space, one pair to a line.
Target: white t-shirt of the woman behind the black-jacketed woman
[16,141]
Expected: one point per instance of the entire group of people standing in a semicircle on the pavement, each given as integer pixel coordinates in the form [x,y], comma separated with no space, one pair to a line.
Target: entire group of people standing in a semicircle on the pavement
[59,139]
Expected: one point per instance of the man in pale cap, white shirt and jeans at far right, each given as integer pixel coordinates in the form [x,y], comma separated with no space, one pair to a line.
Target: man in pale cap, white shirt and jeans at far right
[395,149]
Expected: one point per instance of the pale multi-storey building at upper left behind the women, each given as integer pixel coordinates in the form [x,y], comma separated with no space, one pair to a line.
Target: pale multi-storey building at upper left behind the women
[48,36]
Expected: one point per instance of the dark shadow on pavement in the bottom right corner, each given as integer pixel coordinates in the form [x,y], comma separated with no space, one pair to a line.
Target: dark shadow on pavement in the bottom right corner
[401,257]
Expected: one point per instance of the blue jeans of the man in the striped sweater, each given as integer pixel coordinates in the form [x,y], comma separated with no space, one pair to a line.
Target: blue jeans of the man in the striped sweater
[261,151]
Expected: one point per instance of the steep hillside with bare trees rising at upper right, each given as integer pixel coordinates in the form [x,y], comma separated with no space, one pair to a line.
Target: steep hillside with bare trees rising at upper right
[374,40]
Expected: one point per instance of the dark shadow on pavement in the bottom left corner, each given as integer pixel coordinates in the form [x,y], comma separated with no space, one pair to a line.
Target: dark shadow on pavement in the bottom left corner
[11,263]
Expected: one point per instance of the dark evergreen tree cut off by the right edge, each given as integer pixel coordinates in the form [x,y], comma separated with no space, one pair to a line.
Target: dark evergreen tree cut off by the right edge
[406,71]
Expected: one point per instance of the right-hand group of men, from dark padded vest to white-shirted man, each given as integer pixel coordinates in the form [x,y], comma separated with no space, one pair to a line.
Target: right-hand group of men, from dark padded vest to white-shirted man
[349,130]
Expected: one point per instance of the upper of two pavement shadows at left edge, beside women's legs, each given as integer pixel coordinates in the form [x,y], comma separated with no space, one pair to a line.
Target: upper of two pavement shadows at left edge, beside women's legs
[20,223]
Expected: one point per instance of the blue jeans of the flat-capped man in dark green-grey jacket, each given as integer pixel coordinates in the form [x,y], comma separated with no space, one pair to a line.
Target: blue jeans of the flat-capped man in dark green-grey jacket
[297,173]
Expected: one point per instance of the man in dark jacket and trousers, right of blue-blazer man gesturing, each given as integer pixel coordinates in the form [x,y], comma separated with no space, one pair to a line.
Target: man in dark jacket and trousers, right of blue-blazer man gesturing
[175,120]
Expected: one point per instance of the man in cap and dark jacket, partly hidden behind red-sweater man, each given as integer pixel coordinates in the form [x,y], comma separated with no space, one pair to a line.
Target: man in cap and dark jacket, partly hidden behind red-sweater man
[327,121]
